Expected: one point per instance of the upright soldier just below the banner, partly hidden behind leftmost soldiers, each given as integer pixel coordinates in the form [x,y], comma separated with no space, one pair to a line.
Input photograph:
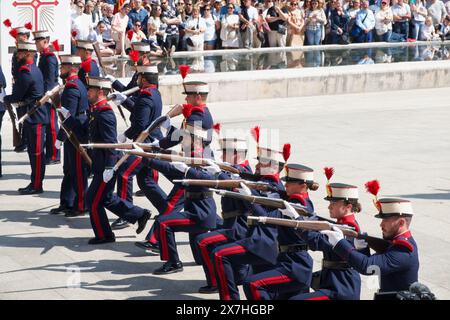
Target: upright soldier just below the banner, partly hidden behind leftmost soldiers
[48,63]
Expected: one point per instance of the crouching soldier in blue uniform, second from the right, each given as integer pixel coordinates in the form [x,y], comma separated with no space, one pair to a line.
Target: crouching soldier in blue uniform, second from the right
[337,280]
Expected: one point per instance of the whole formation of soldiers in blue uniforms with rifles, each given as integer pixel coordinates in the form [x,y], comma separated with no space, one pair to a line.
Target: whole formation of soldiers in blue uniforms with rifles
[270,261]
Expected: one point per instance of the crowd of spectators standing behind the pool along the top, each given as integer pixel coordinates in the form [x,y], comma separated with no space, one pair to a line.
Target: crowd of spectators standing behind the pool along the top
[194,25]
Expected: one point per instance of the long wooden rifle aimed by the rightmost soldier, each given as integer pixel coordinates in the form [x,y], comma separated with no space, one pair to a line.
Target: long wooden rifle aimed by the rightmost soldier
[377,244]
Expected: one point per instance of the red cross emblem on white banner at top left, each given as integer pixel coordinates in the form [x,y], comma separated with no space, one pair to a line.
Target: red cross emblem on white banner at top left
[42,13]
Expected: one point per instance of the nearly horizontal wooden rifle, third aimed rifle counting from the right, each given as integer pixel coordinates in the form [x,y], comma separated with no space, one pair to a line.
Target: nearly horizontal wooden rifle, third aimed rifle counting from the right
[226,184]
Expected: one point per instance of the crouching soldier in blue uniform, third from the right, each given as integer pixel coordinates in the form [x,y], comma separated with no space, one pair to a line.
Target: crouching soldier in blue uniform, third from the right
[293,271]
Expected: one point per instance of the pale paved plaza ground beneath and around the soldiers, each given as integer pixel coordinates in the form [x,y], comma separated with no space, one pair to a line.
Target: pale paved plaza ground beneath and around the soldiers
[402,138]
